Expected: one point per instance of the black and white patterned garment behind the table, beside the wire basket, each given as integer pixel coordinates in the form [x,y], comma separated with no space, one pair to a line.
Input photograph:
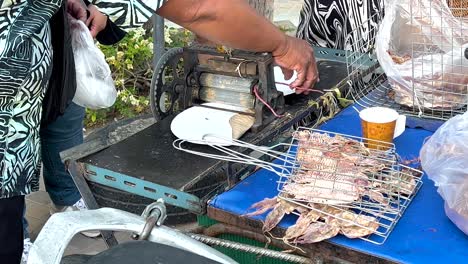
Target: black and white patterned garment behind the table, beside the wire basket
[340,24]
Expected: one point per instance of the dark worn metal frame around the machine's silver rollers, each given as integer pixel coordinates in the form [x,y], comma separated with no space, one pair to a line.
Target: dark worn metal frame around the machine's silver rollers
[241,64]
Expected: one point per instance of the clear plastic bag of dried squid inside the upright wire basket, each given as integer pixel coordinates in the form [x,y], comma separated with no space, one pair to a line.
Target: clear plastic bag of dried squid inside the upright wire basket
[420,46]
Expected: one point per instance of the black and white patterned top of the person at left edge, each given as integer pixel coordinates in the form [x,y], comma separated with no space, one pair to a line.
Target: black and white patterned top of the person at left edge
[25,64]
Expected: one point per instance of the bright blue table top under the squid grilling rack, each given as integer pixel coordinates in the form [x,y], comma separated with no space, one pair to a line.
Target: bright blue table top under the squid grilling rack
[423,235]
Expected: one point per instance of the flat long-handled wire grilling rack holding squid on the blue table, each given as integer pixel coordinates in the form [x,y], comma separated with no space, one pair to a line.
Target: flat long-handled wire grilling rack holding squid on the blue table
[347,180]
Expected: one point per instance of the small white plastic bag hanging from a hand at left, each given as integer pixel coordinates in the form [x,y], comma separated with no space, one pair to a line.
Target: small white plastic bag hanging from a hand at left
[95,86]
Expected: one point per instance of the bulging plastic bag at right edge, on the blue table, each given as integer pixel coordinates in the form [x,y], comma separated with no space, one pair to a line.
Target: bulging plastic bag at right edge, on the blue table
[444,157]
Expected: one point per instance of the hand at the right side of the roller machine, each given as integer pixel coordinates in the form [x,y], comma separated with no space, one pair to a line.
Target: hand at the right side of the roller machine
[297,55]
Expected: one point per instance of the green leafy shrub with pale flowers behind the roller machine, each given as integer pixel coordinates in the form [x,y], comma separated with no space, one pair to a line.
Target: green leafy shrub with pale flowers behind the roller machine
[131,64]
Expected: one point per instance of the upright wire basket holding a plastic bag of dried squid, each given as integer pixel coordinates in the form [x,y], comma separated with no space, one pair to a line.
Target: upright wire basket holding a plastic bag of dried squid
[425,72]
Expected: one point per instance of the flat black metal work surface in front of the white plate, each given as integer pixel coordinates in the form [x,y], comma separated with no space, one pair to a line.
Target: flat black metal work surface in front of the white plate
[149,155]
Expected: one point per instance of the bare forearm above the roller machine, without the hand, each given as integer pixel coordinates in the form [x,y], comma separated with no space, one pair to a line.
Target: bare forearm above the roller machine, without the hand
[229,22]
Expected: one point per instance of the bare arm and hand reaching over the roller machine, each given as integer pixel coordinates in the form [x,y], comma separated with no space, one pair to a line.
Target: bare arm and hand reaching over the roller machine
[235,24]
